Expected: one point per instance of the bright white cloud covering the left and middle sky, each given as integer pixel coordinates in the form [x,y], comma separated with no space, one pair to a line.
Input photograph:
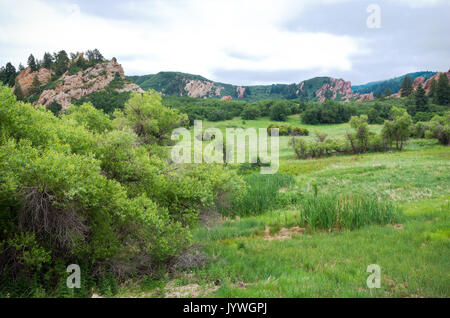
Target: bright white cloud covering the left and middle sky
[195,36]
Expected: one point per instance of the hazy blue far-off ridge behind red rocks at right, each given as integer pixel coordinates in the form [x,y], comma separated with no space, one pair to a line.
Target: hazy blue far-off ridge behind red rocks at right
[393,84]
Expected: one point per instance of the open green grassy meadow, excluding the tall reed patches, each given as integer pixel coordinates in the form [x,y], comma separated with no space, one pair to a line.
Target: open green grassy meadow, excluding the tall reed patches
[274,254]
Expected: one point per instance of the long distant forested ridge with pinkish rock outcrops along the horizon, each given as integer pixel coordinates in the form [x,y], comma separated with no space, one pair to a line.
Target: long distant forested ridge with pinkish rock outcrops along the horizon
[314,89]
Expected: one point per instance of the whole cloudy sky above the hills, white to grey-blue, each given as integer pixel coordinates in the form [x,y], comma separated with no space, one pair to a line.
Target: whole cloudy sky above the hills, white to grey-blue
[241,42]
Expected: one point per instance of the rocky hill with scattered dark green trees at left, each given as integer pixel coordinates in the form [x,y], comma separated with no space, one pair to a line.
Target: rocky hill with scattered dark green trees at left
[100,81]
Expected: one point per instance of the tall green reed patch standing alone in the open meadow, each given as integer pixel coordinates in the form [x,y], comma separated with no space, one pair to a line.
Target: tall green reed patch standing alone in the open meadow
[336,212]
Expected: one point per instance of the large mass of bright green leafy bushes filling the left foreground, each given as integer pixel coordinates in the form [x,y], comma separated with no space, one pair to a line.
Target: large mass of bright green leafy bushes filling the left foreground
[98,191]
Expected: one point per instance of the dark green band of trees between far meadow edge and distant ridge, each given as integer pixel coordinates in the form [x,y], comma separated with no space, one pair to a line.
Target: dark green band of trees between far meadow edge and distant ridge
[421,106]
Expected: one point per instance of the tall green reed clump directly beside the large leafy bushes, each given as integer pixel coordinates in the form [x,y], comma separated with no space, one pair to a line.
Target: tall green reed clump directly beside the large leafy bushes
[262,194]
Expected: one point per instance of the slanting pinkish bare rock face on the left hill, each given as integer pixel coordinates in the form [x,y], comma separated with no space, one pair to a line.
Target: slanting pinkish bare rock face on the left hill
[84,83]
